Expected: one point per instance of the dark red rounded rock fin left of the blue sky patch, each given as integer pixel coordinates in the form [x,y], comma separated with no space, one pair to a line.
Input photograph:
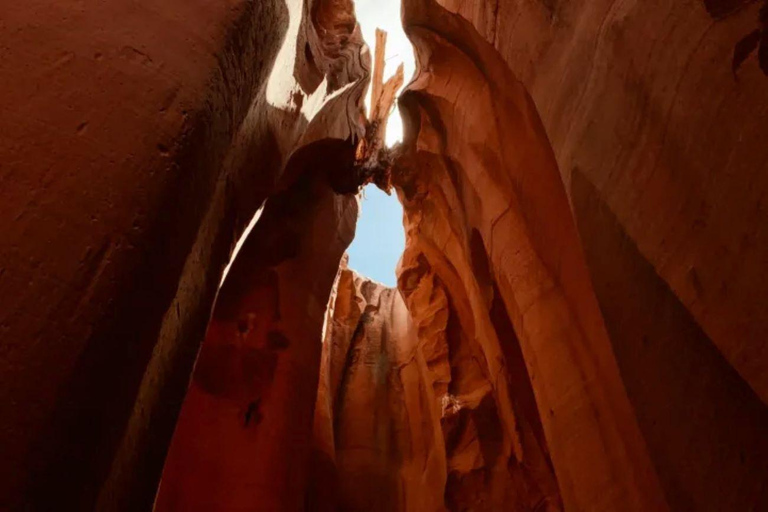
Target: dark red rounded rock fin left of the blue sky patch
[243,438]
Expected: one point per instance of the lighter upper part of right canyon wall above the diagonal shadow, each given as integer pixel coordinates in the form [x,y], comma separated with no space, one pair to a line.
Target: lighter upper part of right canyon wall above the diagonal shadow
[648,122]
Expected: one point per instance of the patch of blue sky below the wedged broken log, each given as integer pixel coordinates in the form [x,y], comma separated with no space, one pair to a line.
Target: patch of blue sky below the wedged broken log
[380,239]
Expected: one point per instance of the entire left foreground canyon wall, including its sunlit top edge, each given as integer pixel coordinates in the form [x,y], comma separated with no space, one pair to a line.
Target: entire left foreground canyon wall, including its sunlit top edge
[139,139]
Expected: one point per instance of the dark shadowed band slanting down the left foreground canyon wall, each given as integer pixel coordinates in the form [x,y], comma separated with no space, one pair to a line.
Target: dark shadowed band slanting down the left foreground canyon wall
[76,456]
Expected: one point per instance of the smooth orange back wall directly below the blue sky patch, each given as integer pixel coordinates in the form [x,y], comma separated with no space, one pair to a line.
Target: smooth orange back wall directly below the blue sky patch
[376,423]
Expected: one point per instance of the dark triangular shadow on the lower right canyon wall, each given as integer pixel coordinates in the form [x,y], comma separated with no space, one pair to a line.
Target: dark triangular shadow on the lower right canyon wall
[703,424]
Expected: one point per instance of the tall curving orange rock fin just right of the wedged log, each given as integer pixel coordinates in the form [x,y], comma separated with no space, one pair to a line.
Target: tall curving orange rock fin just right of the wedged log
[487,213]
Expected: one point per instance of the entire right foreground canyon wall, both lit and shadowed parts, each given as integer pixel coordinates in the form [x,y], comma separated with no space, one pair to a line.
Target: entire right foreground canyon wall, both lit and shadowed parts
[662,152]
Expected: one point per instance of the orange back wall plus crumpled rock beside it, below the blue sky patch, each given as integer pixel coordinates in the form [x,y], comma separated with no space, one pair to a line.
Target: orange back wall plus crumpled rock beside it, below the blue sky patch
[408,417]
